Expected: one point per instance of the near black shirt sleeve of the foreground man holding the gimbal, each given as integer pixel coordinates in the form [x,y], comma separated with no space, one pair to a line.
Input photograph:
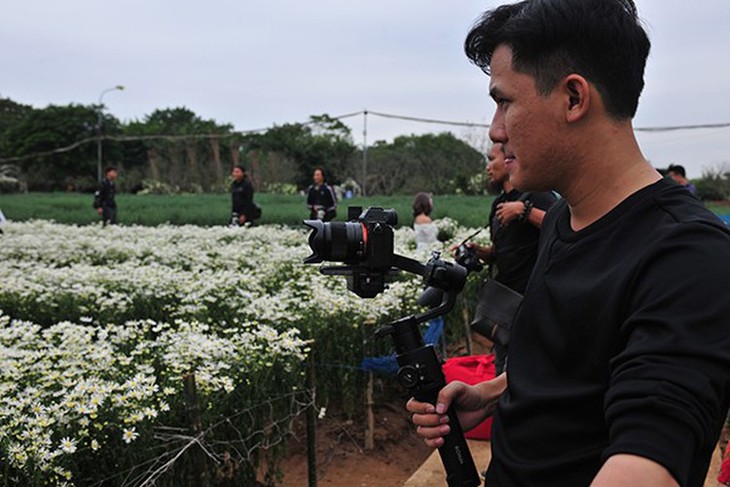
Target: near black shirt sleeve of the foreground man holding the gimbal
[669,386]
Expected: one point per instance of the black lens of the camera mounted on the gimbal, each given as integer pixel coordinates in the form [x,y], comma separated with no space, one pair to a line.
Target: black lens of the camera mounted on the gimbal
[336,241]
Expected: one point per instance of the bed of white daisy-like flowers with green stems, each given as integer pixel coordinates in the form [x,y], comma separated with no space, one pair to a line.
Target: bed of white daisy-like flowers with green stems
[100,325]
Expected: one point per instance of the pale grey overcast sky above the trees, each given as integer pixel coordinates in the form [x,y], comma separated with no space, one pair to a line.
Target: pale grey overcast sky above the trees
[254,64]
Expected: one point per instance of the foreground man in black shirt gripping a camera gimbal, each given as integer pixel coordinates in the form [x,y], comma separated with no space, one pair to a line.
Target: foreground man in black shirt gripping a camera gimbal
[619,371]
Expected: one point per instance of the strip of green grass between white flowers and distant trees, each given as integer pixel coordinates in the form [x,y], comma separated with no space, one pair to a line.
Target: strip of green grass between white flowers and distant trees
[214,209]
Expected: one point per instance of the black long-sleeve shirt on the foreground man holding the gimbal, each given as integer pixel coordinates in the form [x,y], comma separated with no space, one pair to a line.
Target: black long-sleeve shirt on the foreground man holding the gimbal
[622,345]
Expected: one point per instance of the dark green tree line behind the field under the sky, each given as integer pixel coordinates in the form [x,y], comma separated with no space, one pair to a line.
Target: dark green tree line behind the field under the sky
[174,150]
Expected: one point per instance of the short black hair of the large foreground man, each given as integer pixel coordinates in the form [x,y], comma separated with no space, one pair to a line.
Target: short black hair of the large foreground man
[601,40]
